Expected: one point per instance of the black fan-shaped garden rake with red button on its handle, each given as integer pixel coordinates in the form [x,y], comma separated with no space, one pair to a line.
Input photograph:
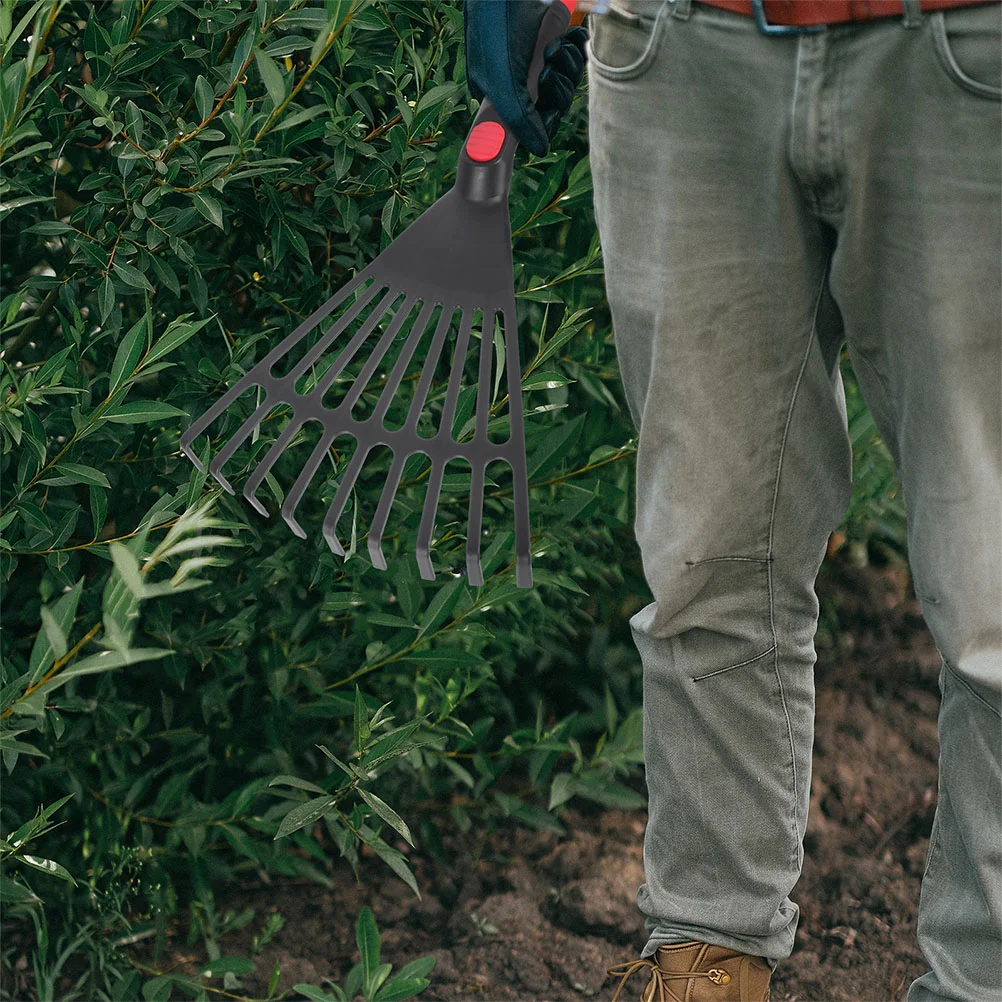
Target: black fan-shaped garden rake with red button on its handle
[457,256]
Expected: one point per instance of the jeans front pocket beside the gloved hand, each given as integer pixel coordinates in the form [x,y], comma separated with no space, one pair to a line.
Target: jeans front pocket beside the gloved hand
[626,41]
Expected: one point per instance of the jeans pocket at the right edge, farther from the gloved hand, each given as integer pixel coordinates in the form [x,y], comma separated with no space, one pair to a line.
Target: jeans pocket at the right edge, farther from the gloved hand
[968,44]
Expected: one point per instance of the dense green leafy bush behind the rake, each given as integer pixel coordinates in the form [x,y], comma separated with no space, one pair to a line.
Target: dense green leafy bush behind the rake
[189,692]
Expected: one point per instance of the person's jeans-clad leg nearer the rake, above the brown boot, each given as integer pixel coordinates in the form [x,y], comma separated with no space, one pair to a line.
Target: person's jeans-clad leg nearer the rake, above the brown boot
[728,346]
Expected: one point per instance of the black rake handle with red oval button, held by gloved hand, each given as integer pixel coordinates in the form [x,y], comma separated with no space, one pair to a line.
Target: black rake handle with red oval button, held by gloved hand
[488,156]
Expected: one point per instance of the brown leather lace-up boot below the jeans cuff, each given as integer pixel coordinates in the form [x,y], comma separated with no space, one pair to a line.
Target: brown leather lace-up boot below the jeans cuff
[700,972]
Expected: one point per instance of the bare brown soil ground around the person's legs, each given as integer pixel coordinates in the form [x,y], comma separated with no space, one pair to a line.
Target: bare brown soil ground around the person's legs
[536,916]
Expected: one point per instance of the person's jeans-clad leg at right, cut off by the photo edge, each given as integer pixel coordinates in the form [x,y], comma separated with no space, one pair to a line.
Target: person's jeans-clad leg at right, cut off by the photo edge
[917,277]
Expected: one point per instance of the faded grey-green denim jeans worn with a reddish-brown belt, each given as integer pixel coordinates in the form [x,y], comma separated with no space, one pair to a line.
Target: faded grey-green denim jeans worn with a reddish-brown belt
[761,202]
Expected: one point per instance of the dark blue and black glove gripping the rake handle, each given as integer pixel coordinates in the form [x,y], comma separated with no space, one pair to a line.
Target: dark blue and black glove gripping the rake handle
[500,40]
